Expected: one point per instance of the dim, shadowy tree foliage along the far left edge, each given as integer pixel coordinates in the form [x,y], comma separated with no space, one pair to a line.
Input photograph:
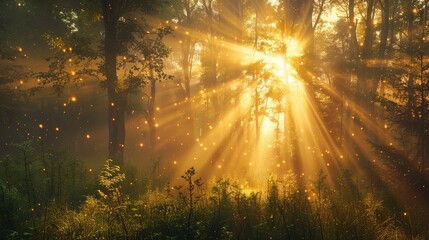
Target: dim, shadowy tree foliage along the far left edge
[14,74]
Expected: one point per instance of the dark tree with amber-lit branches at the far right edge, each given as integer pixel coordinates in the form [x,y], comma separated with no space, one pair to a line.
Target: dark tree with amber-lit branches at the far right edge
[407,107]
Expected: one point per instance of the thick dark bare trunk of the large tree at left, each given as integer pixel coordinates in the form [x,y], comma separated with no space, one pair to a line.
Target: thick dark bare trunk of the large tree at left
[116,100]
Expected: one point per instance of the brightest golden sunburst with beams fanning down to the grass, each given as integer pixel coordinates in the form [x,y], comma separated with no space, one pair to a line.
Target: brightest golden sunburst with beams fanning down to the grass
[238,145]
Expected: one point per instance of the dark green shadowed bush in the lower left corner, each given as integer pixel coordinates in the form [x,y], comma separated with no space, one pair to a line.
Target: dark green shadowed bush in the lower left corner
[34,184]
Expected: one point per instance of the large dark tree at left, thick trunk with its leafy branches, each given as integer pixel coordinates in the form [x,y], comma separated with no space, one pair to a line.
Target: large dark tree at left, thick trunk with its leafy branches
[122,32]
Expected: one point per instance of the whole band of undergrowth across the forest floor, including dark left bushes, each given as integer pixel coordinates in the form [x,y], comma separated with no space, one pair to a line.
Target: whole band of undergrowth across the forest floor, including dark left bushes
[37,204]
